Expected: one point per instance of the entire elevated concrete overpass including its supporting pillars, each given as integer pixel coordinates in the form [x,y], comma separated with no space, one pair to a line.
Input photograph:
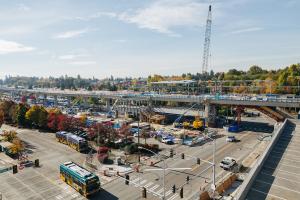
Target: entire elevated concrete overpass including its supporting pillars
[263,104]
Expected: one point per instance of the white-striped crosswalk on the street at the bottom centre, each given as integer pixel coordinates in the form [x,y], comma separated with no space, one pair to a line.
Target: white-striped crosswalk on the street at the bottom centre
[153,188]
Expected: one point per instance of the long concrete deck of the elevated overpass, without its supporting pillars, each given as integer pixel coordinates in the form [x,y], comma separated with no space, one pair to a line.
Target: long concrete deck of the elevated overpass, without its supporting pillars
[211,99]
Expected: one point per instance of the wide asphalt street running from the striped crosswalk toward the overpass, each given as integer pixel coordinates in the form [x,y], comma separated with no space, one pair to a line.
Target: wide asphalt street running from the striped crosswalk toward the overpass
[153,180]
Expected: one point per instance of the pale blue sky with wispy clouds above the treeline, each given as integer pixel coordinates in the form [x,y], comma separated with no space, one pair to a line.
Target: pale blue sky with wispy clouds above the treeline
[137,38]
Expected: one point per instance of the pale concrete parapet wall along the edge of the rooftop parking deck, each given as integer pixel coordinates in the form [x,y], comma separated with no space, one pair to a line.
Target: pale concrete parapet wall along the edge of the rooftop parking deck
[246,185]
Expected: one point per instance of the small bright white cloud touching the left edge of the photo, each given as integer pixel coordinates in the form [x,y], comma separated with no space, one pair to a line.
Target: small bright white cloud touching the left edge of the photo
[7,47]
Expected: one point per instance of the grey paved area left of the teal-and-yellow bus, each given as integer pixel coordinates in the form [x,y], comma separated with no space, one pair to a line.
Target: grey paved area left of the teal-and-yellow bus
[43,182]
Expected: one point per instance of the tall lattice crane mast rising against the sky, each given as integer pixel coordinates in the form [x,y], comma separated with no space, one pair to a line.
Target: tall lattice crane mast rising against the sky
[206,50]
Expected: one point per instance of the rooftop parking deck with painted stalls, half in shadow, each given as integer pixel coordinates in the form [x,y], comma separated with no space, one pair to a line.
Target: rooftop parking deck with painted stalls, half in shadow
[280,175]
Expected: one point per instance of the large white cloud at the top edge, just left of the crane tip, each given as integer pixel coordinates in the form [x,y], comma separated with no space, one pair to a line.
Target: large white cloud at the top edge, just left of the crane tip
[163,16]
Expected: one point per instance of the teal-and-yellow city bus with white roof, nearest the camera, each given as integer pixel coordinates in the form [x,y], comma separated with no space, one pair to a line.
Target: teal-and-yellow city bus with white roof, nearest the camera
[83,181]
